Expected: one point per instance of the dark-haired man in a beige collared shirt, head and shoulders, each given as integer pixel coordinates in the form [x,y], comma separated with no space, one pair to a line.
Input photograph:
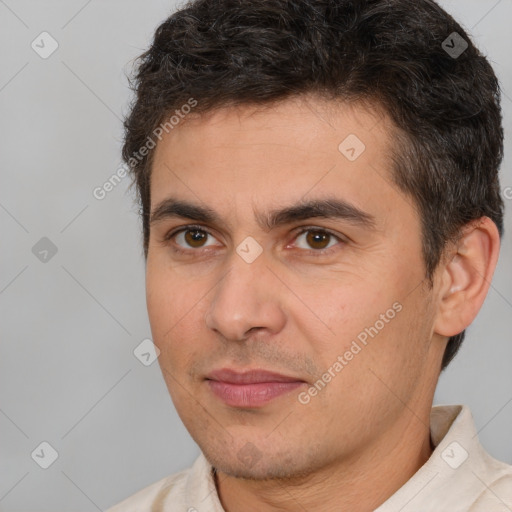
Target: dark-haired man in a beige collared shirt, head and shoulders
[322,219]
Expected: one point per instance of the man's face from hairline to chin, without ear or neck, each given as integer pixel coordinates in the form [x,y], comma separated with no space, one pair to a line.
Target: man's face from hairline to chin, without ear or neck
[342,305]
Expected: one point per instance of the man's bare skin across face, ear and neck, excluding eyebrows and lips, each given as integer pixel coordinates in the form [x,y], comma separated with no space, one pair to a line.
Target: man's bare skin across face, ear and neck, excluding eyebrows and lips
[295,309]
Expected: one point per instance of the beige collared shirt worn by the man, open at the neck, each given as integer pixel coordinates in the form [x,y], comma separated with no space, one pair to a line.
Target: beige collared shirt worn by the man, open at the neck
[458,477]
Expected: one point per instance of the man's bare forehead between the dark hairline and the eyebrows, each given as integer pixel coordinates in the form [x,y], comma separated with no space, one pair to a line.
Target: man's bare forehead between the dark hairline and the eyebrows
[241,158]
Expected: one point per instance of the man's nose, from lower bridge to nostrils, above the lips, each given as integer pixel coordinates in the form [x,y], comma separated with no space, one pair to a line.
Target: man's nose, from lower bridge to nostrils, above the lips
[247,299]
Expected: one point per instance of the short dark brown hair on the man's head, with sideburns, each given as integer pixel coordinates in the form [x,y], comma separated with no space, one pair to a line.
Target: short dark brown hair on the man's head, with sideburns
[401,55]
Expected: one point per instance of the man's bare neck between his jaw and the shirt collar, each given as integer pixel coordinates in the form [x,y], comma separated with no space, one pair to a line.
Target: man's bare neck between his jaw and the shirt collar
[359,483]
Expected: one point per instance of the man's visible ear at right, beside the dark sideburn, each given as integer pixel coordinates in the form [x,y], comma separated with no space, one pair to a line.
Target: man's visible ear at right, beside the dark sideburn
[466,275]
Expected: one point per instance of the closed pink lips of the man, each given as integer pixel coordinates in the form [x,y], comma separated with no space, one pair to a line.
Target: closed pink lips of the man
[252,388]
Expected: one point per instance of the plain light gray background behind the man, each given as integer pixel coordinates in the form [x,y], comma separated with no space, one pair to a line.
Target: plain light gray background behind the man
[69,326]
